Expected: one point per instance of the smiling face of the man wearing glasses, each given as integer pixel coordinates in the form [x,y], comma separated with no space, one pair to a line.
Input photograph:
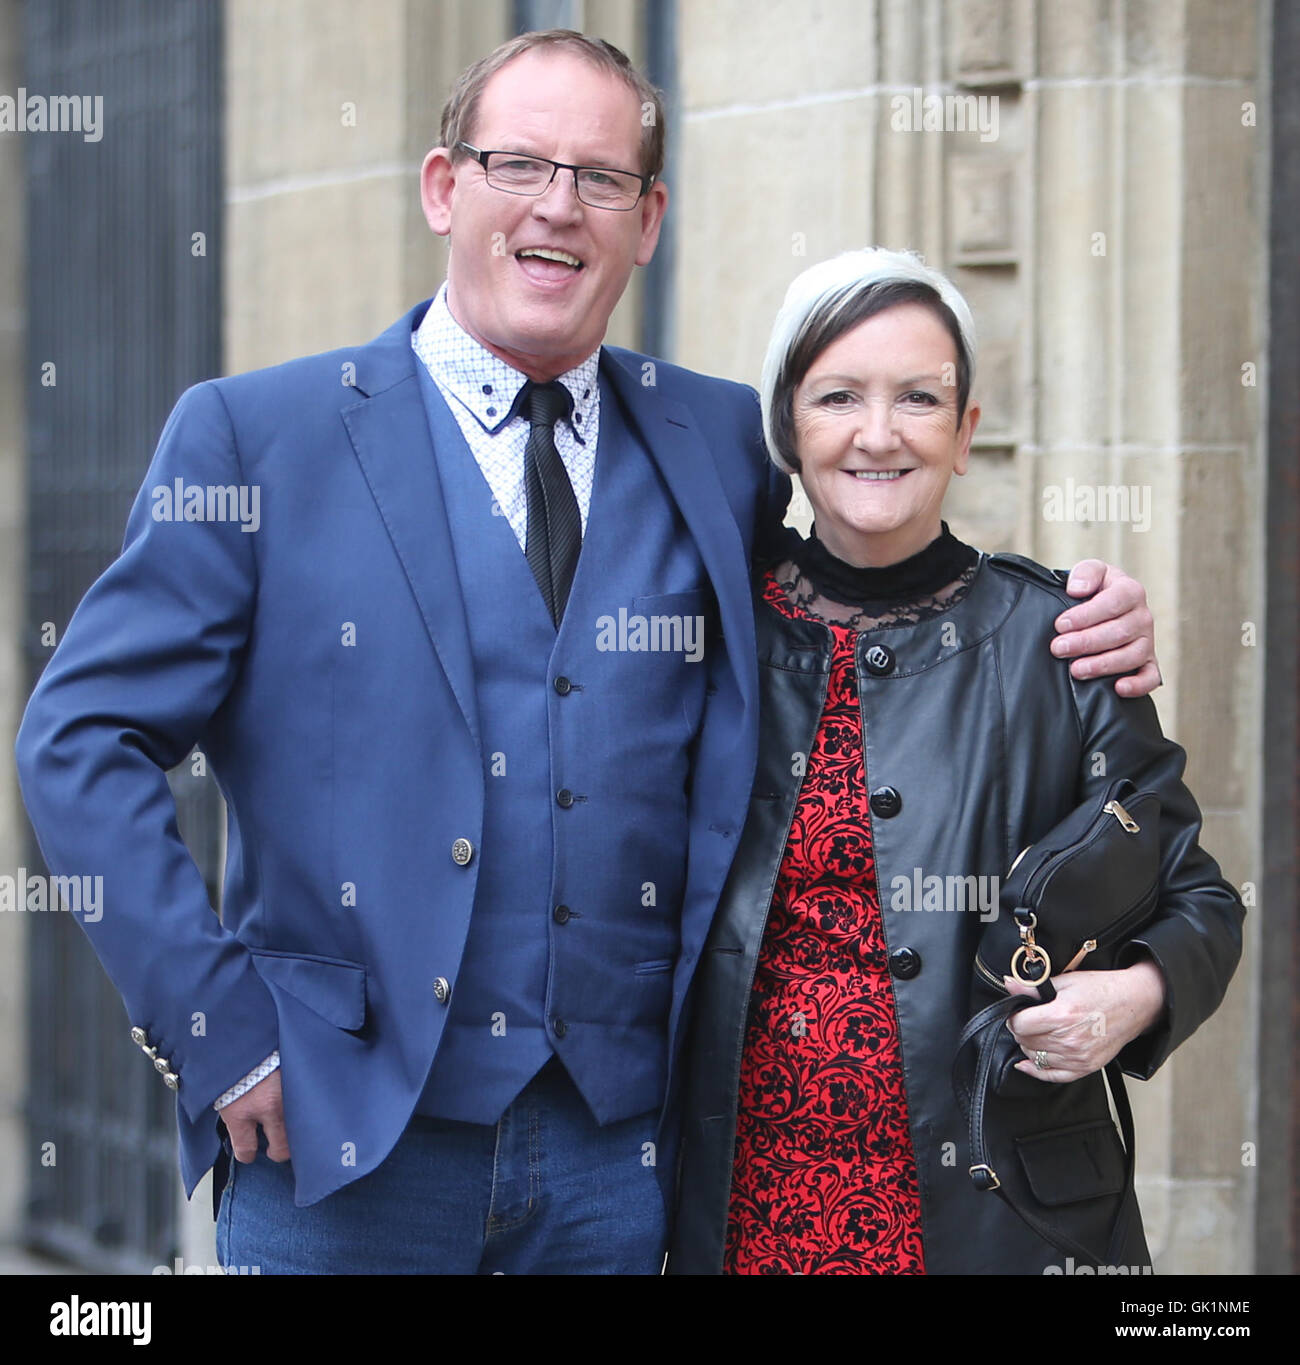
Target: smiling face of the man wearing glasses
[543,316]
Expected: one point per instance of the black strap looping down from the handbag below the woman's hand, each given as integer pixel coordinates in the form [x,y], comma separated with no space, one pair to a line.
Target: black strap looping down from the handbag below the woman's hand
[983,1033]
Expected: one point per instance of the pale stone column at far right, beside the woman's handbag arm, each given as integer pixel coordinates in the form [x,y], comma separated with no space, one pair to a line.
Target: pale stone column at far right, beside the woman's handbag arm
[1148,287]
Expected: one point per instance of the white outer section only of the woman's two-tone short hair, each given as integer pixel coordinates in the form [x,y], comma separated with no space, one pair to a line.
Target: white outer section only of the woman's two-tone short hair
[828,287]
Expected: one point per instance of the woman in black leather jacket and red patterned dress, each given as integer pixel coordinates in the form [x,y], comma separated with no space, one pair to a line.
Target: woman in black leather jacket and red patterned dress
[916,731]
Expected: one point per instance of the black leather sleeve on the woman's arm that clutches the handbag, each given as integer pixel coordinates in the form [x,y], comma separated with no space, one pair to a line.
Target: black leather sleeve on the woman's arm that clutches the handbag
[1196,937]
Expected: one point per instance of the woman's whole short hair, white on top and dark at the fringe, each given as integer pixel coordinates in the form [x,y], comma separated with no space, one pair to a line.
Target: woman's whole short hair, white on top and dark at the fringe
[832,298]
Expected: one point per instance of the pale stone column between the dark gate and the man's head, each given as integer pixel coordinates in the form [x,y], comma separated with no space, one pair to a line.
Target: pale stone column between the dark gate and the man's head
[328,117]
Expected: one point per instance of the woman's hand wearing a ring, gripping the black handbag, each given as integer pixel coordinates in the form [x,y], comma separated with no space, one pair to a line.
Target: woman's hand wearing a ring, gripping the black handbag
[1094,1016]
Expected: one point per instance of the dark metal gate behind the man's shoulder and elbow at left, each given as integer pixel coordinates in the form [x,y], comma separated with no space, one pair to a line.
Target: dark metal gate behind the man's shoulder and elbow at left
[124,313]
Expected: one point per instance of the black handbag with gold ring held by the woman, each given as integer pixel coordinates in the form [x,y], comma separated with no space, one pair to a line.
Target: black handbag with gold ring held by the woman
[1069,903]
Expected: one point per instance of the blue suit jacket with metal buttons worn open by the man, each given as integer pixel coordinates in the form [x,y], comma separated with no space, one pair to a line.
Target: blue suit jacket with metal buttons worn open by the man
[333,642]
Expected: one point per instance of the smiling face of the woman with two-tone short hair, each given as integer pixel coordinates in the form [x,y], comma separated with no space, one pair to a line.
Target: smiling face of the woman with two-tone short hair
[877,435]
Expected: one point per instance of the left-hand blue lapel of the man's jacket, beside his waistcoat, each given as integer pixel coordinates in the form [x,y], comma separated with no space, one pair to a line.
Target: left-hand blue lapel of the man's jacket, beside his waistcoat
[390,435]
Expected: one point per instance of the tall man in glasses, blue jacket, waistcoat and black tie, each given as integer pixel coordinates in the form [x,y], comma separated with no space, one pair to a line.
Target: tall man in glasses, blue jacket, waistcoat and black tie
[484,791]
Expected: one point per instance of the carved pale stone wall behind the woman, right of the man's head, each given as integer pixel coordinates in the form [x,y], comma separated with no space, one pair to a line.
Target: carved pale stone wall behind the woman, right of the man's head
[1096,184]
